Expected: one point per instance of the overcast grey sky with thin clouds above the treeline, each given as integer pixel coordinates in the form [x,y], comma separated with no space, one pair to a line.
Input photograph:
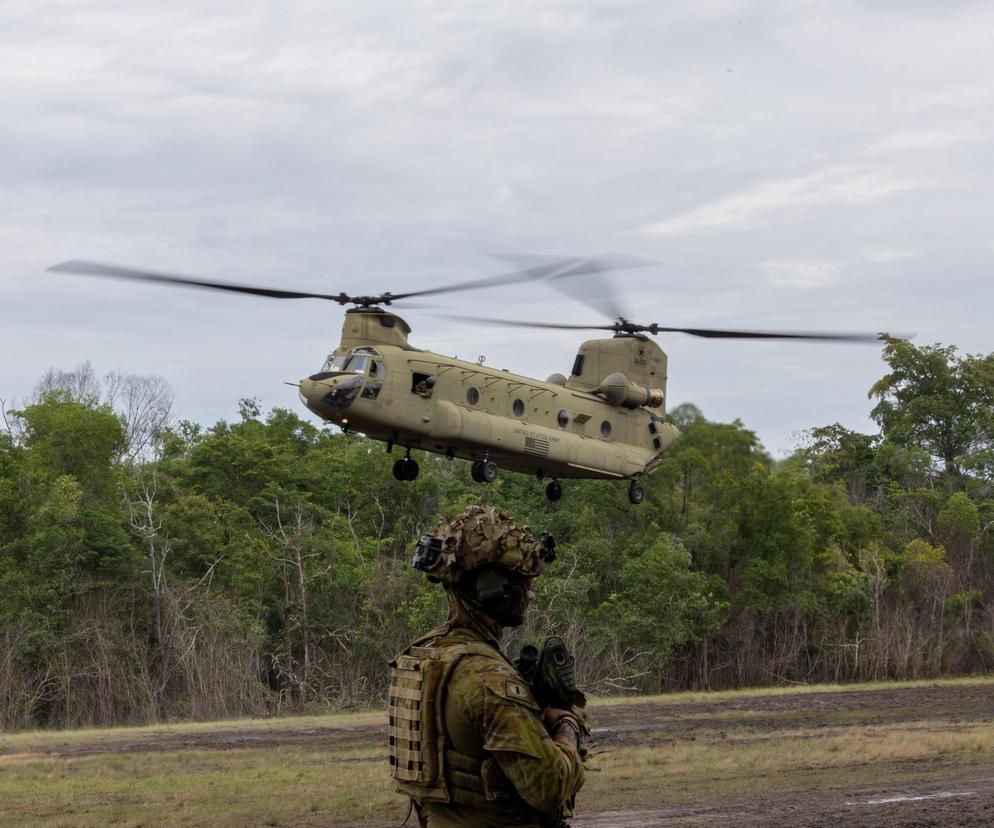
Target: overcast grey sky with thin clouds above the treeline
[805,165]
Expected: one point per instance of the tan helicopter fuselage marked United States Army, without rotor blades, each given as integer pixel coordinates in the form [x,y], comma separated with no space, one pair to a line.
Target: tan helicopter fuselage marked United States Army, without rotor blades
[596,424]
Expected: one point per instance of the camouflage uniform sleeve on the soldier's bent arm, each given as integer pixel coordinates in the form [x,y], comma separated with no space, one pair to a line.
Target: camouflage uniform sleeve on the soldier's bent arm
[502,710]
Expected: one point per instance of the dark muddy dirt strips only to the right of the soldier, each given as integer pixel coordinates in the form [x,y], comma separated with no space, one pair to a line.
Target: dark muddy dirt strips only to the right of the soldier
[932,792]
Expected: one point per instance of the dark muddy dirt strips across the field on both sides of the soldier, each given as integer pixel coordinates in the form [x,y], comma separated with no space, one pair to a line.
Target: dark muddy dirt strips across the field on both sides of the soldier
[934,791]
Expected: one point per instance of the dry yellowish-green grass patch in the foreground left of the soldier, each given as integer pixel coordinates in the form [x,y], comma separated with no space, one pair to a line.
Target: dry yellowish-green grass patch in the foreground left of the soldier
[277,786]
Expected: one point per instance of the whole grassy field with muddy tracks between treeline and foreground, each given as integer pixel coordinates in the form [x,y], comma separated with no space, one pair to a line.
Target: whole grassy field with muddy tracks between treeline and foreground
[659,760]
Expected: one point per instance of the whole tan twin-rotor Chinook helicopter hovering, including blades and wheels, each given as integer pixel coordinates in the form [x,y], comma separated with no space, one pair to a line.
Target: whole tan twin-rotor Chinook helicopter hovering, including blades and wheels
[605,420]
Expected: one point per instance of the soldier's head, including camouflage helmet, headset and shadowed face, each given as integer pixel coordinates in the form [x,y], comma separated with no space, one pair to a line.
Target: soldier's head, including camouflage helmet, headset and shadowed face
[487,559]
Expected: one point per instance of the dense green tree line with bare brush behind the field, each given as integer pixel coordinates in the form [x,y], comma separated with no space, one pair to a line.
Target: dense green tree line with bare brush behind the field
[151,572]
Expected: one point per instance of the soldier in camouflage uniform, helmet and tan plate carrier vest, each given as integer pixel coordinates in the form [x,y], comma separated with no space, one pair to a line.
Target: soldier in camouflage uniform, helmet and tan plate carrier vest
[468,743]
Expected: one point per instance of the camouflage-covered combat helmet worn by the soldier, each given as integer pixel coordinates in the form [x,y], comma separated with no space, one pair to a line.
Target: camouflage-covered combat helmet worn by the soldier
[482,535]
